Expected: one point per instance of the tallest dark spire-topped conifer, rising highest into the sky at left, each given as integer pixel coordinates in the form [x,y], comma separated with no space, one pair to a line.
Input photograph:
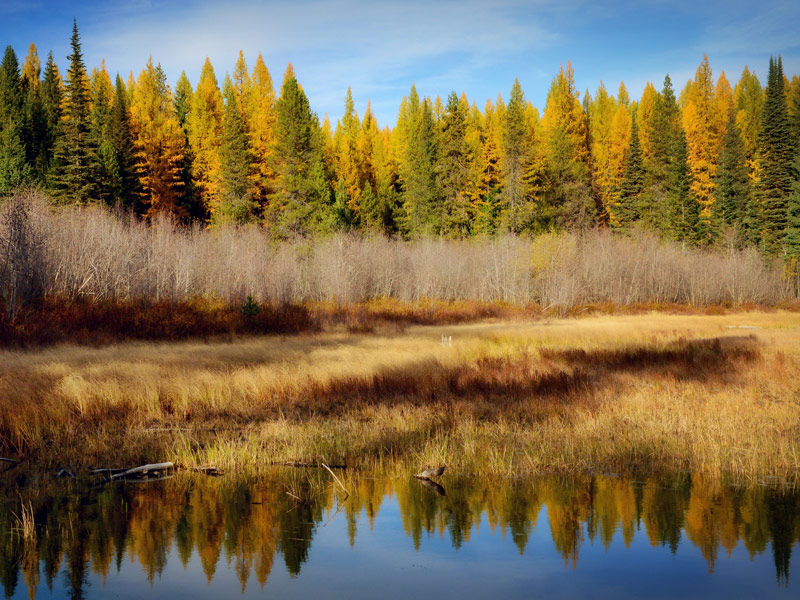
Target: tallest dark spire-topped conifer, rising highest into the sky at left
[74,150]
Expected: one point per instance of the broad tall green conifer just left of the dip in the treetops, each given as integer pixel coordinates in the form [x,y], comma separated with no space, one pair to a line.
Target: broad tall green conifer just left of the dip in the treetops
[301,203]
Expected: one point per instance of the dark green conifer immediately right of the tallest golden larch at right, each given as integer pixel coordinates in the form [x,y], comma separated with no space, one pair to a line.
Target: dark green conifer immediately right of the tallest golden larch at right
[733,182]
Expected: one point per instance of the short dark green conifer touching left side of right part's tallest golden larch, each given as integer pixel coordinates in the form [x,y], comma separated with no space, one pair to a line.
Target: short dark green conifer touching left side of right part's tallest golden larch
[684,209]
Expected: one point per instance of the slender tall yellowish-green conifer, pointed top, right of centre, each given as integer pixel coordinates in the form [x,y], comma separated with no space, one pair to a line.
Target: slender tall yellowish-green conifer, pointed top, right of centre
[516,210]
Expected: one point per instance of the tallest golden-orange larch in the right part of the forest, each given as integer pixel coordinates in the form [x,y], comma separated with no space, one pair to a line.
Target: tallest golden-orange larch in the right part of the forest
[702,137]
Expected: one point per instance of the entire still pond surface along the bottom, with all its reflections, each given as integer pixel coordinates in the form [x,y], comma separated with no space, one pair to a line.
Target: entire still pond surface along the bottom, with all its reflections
[298,534]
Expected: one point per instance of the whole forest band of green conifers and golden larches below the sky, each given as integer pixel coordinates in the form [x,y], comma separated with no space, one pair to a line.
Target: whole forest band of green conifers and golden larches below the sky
[713,161]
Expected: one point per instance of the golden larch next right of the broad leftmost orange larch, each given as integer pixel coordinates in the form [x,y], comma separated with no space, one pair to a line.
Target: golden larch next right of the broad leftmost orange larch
[204,124]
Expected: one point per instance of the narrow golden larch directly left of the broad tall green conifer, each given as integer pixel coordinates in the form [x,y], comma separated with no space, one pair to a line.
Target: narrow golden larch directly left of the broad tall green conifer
[261,121]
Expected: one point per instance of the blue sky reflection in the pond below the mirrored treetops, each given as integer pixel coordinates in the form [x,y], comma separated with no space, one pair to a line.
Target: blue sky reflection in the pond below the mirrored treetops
[384,563]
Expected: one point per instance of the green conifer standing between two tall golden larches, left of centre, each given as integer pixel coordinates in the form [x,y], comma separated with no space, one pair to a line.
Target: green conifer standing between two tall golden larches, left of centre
[236,198]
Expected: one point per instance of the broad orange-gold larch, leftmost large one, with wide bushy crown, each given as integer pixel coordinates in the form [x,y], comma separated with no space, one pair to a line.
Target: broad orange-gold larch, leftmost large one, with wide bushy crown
[158,140]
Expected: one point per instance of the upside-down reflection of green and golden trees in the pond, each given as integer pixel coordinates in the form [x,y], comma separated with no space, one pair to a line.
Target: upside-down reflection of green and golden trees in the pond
[249,522]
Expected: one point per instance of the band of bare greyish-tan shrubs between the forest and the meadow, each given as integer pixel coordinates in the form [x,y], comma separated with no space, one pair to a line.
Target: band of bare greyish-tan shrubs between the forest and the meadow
[96,253]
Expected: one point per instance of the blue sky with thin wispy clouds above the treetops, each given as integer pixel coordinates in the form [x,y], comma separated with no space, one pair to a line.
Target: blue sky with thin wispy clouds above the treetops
[381,48]
